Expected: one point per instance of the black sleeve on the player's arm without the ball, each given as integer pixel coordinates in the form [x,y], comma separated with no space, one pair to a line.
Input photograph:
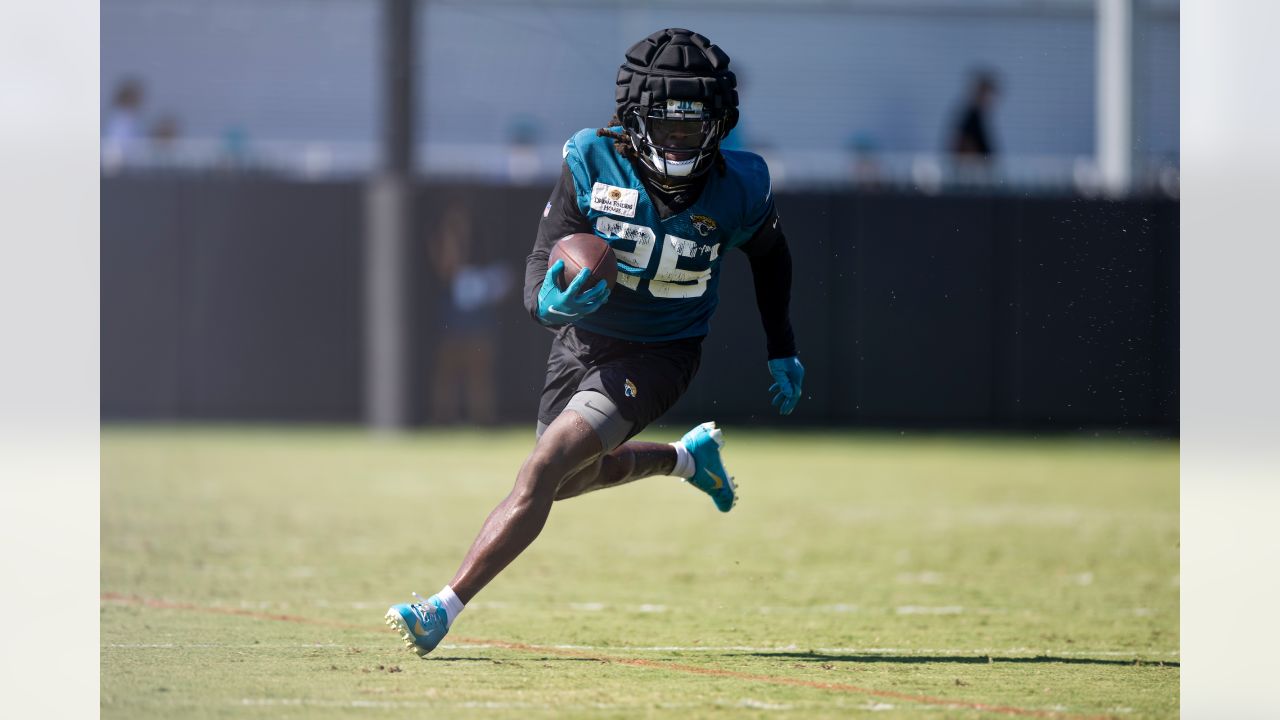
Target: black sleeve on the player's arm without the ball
[771,274]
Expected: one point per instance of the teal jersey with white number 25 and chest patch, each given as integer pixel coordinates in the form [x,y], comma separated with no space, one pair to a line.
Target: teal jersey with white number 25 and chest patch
[669,270]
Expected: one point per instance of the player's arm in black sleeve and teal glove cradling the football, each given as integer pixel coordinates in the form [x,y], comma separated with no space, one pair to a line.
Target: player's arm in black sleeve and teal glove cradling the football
[546,303]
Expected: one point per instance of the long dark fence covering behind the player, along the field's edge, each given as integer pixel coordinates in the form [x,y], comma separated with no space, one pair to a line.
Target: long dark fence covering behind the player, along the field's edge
[241,299]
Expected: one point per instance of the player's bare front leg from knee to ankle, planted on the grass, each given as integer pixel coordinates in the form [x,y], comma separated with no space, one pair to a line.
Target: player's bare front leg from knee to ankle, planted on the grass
[565,448]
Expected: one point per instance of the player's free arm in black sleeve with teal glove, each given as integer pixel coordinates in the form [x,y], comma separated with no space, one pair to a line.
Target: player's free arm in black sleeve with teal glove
[771,274]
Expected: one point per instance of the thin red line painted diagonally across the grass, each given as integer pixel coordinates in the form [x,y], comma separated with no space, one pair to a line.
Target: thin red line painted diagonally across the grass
[636,663]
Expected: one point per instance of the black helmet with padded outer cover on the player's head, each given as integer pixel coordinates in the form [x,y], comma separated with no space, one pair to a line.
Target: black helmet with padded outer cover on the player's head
[676,99]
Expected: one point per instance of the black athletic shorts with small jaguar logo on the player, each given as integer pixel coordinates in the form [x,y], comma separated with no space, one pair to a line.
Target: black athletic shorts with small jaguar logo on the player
[644,380]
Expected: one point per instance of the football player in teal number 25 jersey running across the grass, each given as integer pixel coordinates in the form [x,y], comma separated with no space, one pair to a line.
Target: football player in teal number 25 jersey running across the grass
[657,186]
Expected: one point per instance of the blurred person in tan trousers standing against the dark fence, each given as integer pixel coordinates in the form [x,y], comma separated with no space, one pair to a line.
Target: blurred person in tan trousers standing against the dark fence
[463,381]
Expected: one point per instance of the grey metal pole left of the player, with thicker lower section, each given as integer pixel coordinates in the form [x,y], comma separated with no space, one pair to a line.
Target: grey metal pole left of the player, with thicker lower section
[387,230]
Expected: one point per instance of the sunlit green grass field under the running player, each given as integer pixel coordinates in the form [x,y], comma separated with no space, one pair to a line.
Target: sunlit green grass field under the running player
[246,572]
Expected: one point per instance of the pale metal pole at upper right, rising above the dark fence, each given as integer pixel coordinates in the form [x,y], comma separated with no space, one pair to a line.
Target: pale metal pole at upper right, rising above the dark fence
[1116,95]
